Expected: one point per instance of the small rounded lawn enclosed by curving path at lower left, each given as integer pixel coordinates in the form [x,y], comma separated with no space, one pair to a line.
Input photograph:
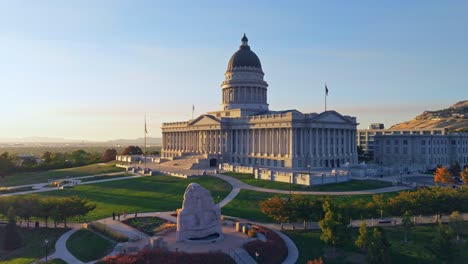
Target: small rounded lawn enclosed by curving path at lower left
[87,246]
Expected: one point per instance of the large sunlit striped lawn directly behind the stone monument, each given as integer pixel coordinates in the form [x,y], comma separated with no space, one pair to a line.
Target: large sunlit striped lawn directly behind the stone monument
[145,194]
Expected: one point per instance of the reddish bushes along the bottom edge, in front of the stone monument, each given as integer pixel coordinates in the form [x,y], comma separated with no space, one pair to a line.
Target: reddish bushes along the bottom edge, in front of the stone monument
[167,257]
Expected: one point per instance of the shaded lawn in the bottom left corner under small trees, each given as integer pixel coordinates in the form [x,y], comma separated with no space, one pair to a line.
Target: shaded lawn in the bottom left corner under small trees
[33,244]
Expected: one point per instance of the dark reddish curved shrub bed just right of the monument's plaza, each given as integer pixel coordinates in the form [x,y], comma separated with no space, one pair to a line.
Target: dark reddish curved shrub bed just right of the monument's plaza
[273,251]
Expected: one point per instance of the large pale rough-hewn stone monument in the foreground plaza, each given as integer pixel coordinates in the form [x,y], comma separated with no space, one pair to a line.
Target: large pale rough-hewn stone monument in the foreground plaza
[200,218]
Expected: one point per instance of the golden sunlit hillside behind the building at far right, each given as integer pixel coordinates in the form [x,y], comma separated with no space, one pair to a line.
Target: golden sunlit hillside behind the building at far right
[454,118]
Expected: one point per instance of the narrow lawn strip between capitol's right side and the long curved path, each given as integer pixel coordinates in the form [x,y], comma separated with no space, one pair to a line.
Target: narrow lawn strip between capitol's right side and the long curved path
[352,185]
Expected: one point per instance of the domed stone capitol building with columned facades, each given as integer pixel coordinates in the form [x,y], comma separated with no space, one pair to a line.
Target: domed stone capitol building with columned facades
[246,132]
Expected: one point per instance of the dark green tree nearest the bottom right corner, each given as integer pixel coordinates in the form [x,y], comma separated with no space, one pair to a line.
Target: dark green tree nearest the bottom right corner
[442,245]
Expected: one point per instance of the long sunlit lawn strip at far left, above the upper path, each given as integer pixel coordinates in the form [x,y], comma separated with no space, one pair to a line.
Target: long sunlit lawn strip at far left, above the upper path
[43,176]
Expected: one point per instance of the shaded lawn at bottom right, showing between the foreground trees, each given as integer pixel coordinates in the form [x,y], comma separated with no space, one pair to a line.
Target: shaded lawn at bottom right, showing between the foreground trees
[415,251]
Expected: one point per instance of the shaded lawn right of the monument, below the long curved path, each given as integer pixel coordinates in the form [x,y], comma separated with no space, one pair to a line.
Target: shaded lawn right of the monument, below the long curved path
[246,204]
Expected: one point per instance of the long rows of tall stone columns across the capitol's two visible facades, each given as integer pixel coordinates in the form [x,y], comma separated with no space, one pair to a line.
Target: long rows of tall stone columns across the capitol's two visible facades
[295,142]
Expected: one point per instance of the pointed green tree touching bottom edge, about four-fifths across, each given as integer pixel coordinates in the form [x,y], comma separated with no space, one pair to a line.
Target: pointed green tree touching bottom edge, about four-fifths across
[378,248]
